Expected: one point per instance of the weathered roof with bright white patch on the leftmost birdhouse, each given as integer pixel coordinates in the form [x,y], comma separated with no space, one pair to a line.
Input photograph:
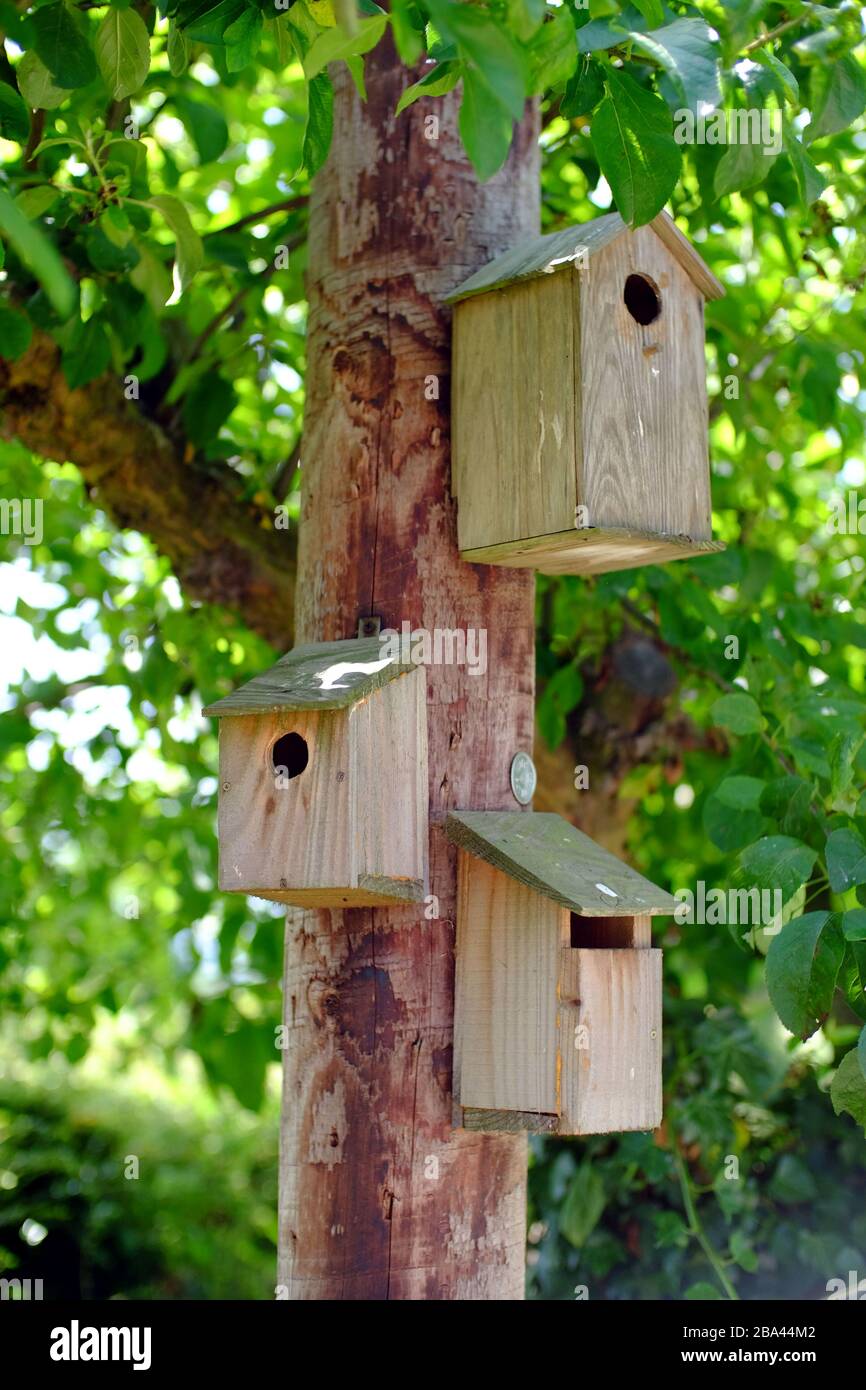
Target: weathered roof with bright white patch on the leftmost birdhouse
[318,676]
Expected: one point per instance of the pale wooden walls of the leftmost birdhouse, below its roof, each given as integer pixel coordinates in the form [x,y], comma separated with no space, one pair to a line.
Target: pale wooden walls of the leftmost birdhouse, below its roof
[351,829]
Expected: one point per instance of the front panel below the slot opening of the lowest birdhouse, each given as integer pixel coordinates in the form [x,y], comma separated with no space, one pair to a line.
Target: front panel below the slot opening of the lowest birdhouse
[611,1040]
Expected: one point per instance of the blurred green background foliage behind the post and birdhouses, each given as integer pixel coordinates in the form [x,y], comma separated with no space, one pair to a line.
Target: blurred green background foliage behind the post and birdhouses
[140,1006]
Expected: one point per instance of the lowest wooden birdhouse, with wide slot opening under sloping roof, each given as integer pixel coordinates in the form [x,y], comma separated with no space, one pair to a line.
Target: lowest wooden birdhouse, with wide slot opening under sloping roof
[558,1017]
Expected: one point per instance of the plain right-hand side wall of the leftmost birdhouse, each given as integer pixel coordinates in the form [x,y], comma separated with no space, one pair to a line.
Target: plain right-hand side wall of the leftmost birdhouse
[389,739]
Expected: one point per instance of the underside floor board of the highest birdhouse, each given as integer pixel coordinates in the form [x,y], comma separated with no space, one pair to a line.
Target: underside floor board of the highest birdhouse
[591,551]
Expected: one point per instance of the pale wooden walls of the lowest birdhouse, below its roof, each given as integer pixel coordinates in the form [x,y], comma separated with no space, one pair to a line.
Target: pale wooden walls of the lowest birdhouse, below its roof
[558,1017]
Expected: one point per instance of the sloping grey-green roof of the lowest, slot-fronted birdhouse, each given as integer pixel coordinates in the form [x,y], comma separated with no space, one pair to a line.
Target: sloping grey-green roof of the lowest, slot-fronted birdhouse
[547,854]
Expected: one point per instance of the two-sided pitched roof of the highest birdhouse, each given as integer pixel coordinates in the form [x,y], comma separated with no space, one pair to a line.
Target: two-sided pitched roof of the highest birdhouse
[546,255]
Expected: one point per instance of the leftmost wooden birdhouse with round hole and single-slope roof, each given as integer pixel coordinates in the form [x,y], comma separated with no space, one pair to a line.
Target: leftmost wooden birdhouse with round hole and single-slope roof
[323,779]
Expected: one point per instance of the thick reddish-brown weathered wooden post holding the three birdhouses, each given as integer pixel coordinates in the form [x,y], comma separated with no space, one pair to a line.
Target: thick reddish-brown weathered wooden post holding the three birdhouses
[380,1197]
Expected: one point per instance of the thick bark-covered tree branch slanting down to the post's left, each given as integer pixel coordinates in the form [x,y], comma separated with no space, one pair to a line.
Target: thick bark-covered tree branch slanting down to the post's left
[223,548]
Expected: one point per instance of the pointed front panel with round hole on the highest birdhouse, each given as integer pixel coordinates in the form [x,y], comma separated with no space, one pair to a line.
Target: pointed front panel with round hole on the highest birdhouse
[643,387]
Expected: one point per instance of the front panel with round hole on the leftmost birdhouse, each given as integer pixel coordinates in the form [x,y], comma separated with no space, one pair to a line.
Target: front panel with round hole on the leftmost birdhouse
[284,831]
